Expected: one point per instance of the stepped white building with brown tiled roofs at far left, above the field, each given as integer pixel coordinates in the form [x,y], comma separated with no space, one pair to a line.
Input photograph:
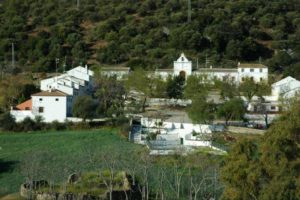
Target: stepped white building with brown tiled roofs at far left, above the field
[58,94]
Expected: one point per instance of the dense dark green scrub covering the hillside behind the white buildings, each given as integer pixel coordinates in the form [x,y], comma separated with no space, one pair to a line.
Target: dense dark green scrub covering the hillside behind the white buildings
[149,33]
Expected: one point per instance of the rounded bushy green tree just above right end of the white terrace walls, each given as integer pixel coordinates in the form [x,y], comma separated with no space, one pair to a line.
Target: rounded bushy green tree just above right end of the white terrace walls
[232,109]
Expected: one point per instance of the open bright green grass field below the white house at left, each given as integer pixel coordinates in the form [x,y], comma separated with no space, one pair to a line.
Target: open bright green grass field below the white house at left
[63,150]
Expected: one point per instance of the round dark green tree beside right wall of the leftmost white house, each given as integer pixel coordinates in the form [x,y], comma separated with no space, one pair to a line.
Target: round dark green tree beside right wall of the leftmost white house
[84,107]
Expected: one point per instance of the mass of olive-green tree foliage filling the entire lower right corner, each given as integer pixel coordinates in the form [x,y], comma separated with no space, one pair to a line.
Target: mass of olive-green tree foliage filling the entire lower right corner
[269,169]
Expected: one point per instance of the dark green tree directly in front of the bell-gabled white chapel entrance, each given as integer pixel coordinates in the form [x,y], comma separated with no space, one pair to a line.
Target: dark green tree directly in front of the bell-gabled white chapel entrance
[175,87]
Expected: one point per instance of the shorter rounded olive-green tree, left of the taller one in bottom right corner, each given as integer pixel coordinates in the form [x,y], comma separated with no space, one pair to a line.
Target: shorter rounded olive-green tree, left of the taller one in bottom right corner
[241,172]
